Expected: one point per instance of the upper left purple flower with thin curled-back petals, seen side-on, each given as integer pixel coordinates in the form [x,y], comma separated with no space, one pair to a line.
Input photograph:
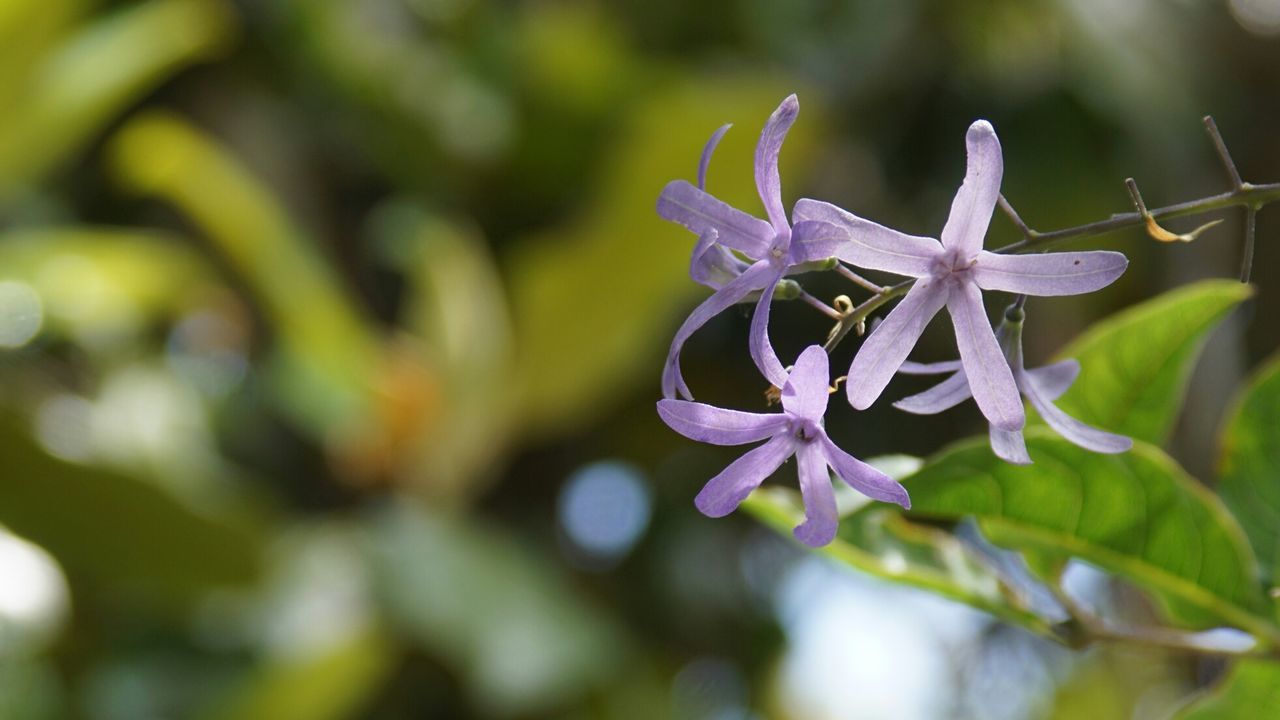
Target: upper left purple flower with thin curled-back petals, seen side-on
[775,249]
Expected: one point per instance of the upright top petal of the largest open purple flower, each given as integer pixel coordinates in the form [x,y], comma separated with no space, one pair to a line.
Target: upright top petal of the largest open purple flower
[976,200]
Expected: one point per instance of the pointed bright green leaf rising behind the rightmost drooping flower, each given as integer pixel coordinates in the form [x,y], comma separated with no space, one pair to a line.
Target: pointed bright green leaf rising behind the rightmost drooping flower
[1136,364]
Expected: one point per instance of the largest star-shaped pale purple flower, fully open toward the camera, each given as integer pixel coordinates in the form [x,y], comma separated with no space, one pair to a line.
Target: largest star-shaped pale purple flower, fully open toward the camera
[953,275]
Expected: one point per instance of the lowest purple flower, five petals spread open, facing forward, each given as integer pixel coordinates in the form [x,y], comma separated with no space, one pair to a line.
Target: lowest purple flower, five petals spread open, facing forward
[797,431]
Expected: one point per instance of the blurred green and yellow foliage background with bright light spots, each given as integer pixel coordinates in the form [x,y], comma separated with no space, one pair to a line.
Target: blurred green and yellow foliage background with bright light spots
[332,332]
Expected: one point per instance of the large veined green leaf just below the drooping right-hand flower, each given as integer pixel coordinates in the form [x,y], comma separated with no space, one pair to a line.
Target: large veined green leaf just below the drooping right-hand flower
[1136,514]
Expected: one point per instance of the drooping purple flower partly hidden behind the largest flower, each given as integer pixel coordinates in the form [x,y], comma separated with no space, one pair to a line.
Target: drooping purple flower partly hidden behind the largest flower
[1041,386]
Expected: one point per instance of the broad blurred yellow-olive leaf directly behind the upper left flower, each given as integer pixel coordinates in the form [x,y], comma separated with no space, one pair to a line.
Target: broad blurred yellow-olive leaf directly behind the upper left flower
[597,302]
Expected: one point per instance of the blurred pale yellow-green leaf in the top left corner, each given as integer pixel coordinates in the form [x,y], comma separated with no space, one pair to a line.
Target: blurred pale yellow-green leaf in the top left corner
[97,72]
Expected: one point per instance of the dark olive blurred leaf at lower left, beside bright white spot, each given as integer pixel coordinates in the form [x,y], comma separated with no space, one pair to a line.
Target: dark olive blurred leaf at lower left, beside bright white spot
[117,534]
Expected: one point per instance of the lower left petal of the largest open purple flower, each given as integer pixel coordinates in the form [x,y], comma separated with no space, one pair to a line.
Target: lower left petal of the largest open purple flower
[889,345]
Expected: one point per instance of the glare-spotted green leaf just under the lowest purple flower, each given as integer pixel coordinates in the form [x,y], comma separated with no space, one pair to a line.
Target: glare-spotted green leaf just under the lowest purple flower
[879,541]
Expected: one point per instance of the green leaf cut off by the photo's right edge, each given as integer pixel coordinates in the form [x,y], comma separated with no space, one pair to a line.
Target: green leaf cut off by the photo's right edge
[1250,471]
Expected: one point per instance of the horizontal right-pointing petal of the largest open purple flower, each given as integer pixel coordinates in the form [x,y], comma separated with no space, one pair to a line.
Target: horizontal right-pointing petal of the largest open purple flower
[1050,274]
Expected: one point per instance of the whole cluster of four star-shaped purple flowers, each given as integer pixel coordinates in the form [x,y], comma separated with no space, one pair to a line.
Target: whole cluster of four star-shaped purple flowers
[739,254]
